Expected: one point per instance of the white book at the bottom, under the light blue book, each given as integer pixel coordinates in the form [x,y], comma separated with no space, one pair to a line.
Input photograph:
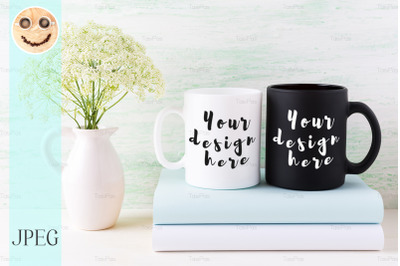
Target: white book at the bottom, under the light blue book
[268,237]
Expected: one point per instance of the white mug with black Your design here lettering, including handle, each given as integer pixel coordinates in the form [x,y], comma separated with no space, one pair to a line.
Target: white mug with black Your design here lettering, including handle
[222,137]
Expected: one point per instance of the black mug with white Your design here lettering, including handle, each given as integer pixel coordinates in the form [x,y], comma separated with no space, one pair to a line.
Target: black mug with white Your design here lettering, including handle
[306,136]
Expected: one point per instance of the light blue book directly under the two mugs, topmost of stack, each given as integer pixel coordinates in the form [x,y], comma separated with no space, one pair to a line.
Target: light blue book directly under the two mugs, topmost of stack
[176,202]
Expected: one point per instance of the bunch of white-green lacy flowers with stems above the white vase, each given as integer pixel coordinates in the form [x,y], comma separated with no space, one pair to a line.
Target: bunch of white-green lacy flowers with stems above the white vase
[100,65]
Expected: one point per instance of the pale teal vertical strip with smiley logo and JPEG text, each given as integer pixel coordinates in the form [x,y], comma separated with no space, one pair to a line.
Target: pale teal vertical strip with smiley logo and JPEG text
[35,83]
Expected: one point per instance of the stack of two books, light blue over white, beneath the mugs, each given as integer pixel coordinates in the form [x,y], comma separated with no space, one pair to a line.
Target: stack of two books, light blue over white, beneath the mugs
[265,217]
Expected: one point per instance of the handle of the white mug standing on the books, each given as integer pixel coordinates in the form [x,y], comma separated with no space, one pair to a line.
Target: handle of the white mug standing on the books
[157,138]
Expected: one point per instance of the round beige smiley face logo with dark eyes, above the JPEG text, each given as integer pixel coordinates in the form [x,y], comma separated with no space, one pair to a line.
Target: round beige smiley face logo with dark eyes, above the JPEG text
[35,30]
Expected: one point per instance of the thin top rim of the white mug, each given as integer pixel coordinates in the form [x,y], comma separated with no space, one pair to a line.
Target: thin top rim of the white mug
[226,91]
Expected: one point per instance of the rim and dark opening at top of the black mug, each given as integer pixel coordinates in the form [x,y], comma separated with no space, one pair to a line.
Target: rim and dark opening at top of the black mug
[306,87]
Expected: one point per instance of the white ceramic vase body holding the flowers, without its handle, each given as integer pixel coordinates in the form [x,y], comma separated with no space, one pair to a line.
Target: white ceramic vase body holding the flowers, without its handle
[92,179]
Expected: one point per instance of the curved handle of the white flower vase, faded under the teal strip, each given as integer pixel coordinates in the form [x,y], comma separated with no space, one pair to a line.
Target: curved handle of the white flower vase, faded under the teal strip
[48,142]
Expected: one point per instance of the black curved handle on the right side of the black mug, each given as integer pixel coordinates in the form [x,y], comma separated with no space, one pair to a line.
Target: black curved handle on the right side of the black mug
[357,168]
